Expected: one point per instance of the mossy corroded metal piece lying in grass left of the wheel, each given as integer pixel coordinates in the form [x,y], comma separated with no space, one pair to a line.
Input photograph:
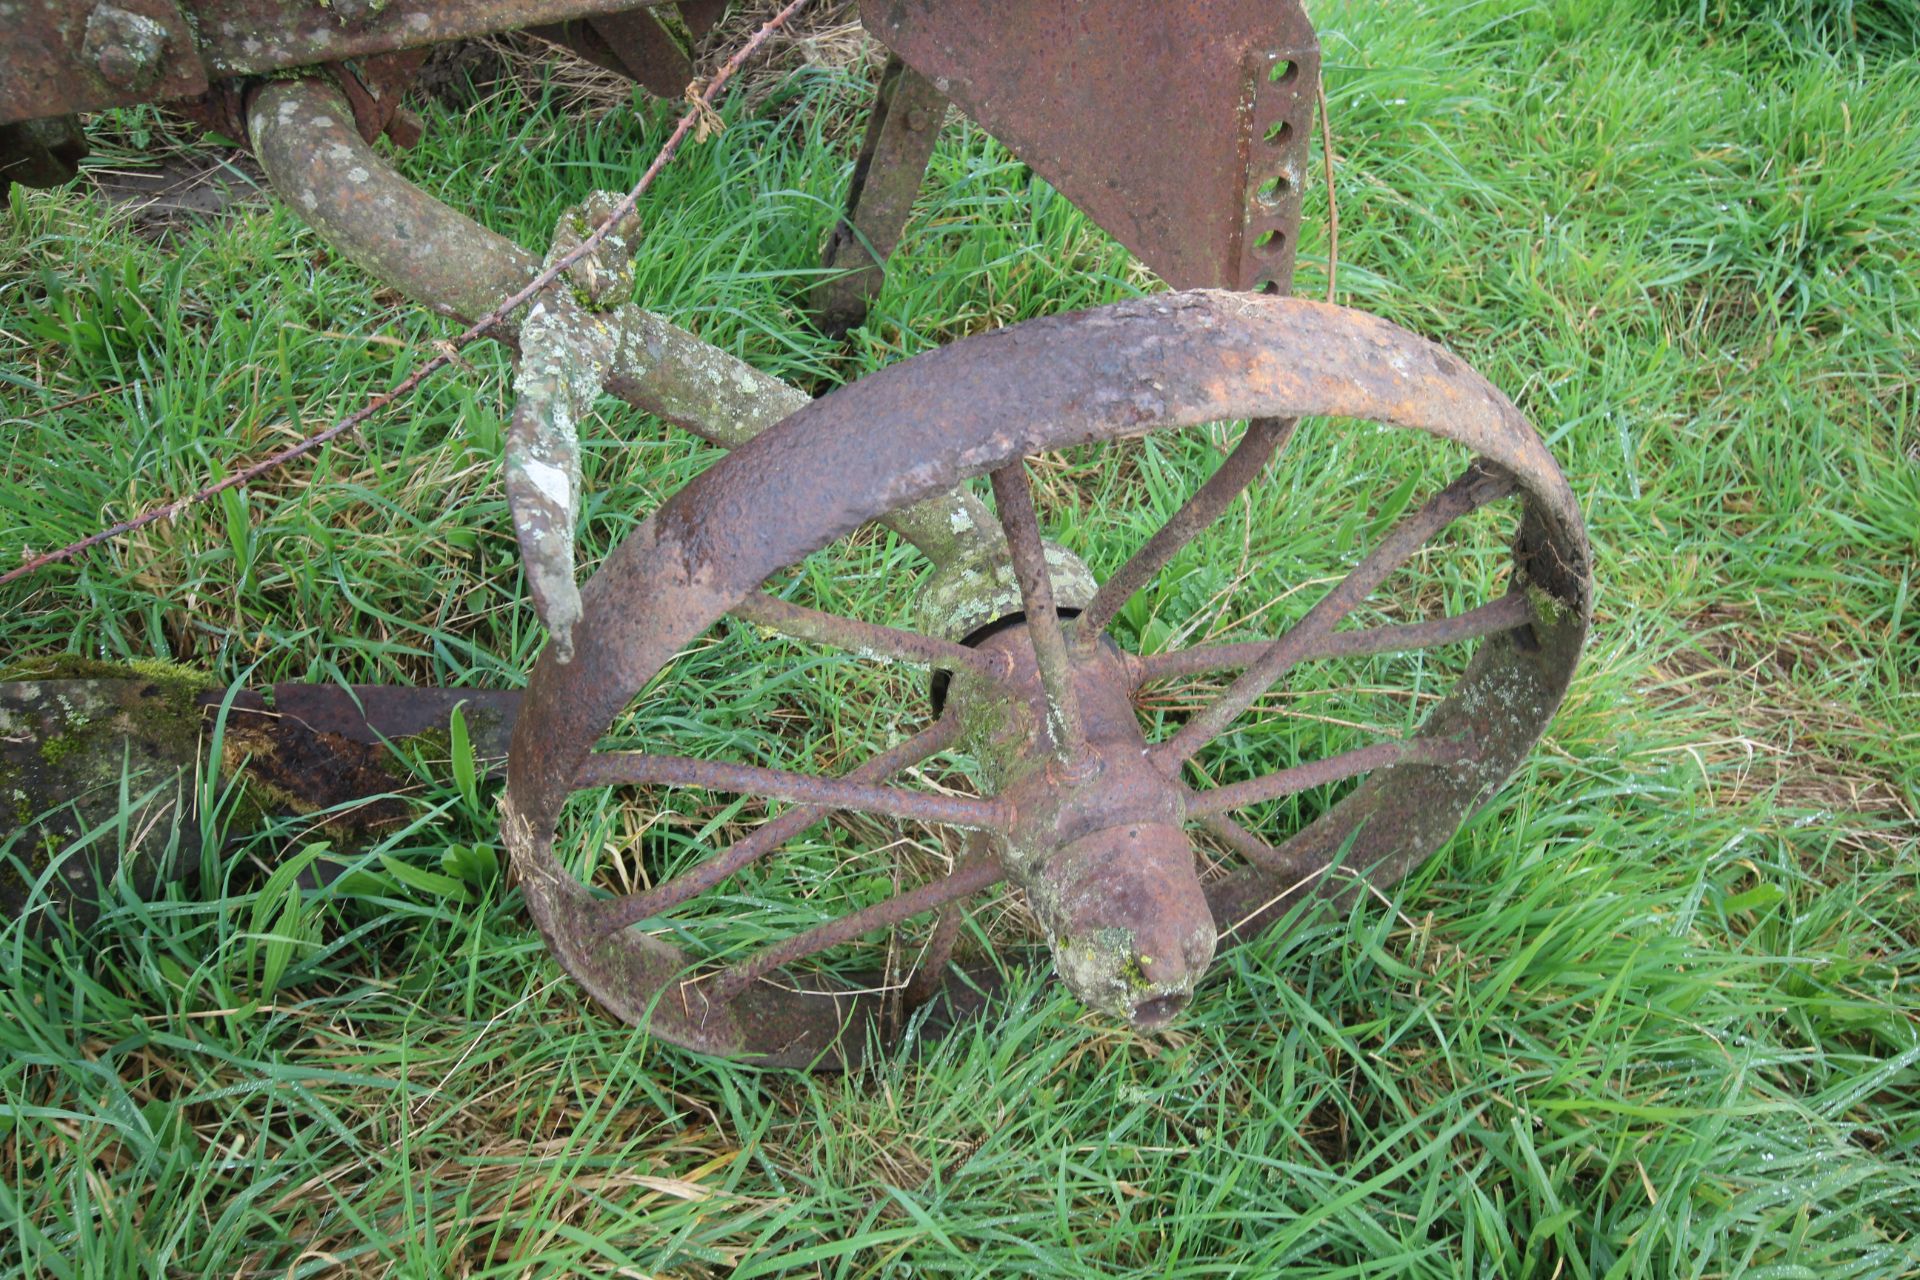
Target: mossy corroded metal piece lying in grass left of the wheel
[99,770]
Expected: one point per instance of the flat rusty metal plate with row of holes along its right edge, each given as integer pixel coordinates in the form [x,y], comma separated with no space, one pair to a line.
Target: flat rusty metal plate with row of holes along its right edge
[1180,128]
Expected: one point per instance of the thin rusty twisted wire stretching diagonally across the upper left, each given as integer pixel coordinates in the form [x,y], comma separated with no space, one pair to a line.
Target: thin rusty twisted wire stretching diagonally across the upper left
[448,352]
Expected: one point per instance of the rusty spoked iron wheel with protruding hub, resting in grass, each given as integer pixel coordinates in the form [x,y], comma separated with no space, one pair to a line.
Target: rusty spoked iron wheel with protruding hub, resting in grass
[1080,811]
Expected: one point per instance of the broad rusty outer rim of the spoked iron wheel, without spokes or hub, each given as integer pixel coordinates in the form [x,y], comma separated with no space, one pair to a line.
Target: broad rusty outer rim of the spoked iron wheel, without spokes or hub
[969,410]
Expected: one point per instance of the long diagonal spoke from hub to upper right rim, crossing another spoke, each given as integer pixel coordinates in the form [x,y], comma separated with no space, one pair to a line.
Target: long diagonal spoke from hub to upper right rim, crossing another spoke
[1474,490]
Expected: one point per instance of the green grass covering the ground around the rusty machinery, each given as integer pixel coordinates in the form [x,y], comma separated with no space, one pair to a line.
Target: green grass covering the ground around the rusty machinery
[1652,1014]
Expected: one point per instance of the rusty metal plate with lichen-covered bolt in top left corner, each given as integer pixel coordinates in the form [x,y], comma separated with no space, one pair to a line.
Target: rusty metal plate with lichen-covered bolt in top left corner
[64,57]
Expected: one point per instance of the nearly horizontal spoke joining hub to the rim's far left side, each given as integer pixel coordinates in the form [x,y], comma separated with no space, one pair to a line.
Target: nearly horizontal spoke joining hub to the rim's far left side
[635,767]
